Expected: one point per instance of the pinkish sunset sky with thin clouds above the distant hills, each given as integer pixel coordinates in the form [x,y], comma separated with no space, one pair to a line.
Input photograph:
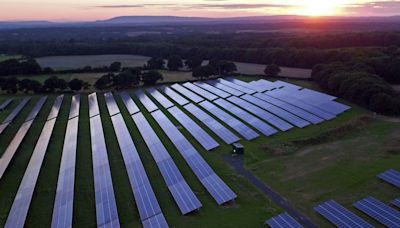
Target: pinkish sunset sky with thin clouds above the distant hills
[84,10]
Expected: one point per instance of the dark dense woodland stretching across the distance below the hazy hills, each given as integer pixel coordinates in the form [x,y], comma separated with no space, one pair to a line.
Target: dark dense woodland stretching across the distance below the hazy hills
[341,62]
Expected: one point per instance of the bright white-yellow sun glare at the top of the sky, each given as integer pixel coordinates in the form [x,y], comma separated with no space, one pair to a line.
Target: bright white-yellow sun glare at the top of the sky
[317,8]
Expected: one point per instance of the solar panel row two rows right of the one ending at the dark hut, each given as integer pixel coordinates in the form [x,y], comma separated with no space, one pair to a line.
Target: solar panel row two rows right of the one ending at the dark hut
[247,117]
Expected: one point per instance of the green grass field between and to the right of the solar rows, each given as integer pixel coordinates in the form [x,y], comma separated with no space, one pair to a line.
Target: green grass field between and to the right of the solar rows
[338,159]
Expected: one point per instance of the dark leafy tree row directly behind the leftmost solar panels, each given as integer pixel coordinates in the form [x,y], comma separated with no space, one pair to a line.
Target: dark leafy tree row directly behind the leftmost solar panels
[53,84]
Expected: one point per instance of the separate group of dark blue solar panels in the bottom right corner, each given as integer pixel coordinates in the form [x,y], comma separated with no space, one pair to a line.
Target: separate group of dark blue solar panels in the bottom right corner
[342,217]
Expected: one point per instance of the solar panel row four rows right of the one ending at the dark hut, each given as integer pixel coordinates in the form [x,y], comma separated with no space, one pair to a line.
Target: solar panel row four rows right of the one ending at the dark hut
[289,117]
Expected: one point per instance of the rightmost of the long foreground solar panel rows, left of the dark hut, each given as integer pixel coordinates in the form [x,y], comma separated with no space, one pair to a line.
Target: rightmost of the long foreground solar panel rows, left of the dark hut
[214,185]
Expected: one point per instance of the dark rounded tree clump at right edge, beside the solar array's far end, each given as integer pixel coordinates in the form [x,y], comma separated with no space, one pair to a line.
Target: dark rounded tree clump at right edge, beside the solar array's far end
[358,83]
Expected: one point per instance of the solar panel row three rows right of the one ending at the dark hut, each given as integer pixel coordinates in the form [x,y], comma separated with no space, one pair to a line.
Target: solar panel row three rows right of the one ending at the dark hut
[275,121]
